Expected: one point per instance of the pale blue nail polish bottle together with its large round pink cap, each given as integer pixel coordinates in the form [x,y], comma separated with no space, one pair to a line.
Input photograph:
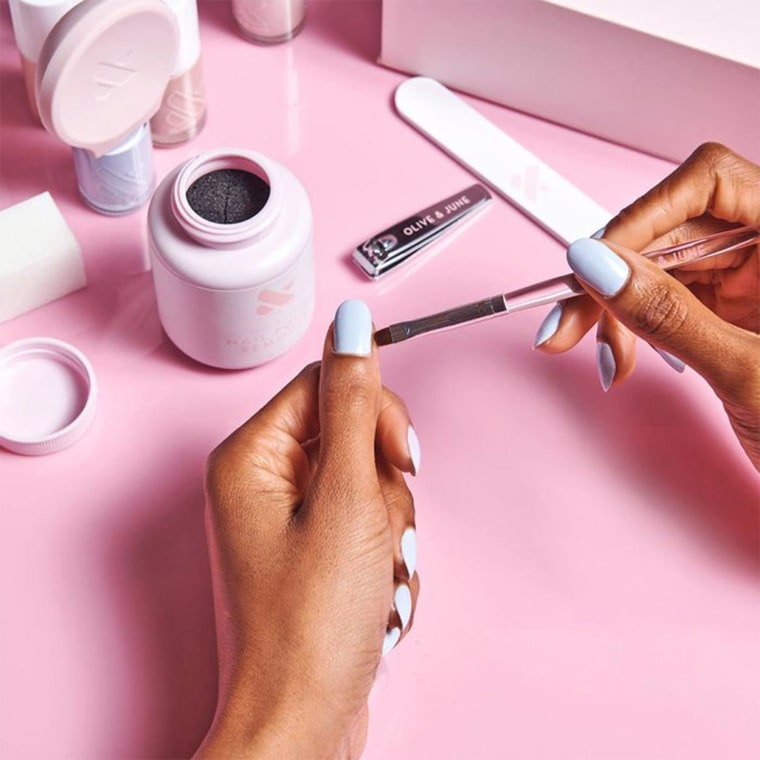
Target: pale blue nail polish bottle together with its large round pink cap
[101,75]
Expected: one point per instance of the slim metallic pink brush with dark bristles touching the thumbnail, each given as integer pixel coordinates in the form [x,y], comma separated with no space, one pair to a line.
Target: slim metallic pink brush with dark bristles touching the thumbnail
[562,287]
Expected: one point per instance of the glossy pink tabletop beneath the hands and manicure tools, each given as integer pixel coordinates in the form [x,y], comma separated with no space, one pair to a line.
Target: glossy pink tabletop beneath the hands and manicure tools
[589,562]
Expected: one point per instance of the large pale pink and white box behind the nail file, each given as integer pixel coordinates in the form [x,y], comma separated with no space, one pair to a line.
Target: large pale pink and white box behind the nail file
[661,76]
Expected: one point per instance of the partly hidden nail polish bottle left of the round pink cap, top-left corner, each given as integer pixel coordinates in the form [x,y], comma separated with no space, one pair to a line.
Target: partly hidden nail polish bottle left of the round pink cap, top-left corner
[32,21]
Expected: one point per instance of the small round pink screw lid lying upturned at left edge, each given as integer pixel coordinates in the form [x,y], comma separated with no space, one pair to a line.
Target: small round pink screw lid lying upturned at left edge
[48,395]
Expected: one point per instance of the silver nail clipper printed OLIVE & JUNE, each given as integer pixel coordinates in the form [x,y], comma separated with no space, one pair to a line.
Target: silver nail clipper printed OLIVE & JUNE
[389,248]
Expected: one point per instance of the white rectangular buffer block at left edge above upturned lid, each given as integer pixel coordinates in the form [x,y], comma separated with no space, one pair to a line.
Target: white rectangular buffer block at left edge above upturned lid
[40,259]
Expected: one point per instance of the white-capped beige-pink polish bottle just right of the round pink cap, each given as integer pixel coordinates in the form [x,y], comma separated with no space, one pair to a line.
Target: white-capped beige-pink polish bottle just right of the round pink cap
[183,109]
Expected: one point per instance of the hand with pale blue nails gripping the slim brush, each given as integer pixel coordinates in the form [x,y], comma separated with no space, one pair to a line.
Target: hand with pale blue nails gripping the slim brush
[706,314]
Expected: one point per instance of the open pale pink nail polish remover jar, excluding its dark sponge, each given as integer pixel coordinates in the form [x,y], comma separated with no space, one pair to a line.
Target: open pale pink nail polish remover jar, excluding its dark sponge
[233,295]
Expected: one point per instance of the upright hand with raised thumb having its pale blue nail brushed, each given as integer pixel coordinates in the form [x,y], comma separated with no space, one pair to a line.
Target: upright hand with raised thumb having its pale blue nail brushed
[311,534]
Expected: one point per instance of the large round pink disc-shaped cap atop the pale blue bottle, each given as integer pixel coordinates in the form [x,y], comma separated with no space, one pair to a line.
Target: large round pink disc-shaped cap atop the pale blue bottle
[103,70]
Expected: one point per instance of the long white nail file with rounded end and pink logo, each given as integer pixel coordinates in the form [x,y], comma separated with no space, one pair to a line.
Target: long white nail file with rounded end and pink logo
[512,170]
